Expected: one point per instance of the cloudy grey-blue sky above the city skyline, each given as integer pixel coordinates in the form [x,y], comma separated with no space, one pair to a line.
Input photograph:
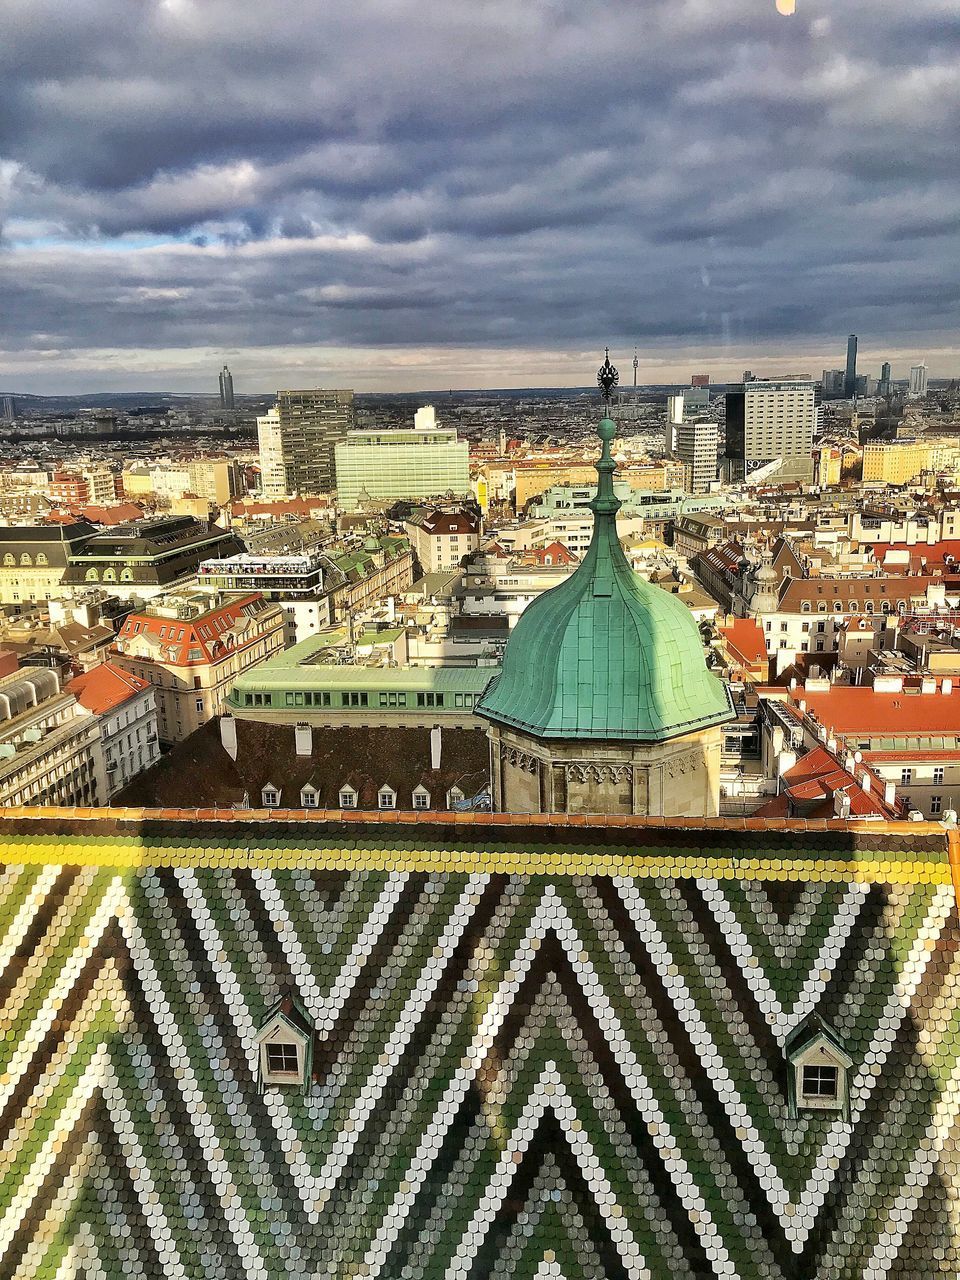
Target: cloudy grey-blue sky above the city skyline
[396,195]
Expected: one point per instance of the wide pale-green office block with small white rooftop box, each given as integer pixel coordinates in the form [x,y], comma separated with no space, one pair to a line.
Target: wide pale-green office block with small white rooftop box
[382,467]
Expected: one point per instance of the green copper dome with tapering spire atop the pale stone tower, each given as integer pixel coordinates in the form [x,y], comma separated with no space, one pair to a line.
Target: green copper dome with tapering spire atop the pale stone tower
[605,655]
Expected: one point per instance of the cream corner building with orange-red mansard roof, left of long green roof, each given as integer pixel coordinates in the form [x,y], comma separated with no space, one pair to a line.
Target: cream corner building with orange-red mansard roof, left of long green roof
[191,650]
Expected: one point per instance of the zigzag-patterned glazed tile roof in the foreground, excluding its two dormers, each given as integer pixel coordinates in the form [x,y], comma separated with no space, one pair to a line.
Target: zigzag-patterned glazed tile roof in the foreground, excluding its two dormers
[541,1049]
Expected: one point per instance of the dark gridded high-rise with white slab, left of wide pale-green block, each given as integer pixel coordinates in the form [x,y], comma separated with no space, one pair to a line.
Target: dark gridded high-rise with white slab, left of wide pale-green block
[299,440]
